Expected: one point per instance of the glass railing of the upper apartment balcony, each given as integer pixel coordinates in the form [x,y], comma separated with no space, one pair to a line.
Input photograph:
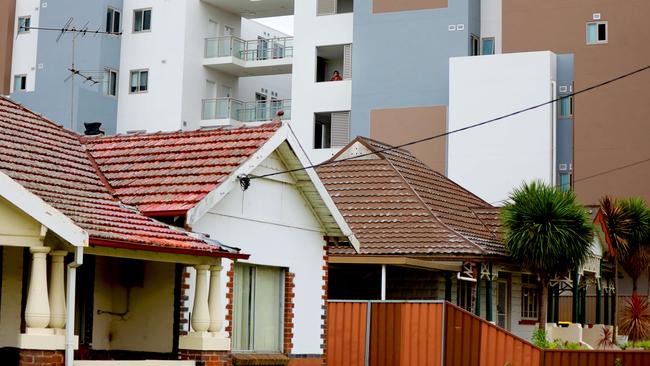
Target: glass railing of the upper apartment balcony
[255,50]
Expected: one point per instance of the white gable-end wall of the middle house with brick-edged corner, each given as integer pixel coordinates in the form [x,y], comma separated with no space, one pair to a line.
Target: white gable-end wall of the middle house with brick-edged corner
[273,223]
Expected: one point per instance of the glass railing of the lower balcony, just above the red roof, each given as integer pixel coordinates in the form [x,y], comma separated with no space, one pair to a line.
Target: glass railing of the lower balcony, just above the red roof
[259,111]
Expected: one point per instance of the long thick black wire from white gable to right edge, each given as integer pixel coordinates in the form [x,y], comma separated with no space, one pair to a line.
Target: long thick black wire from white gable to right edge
[596,86]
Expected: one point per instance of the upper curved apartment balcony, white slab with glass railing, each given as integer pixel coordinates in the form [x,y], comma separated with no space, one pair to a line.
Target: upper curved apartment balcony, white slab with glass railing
[238,57]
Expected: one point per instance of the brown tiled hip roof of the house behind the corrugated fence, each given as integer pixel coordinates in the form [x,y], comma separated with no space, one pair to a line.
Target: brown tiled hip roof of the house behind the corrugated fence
[395,204]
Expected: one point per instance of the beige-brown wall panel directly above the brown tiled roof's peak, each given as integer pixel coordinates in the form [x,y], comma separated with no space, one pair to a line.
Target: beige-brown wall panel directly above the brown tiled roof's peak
[401,125]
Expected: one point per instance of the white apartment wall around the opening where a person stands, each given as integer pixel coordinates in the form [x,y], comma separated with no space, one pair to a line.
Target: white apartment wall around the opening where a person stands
[309,97]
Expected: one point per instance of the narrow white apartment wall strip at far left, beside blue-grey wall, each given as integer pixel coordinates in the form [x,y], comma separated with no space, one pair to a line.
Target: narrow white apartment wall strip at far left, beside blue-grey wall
[25,44]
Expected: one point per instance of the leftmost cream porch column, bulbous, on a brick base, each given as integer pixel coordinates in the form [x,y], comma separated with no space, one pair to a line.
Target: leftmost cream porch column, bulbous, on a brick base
[37,309]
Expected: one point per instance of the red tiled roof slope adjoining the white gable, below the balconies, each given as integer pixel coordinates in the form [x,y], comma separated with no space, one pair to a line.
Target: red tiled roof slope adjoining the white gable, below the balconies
[171,172]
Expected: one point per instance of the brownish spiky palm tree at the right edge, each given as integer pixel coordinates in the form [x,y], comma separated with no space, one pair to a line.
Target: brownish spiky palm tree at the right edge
[628,225]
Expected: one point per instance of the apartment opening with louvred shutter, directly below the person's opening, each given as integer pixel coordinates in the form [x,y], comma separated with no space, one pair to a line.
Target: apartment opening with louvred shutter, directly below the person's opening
[331,129]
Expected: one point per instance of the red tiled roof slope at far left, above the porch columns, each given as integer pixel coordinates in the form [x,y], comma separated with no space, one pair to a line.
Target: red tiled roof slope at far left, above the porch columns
[53,164]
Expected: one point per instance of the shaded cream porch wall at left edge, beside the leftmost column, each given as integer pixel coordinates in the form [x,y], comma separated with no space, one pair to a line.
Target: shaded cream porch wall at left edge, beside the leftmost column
[11,297]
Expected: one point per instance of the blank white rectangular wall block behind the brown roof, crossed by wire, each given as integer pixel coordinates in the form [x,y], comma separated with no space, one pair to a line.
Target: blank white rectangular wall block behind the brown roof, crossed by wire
[493,159]
